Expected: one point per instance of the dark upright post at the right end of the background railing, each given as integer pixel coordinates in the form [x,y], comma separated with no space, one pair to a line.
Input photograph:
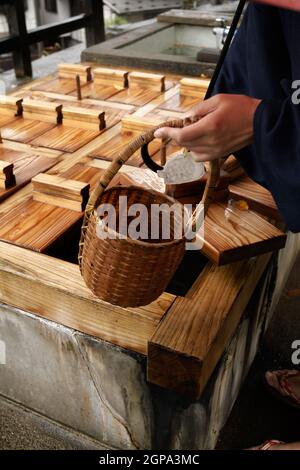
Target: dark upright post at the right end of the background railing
[95,29]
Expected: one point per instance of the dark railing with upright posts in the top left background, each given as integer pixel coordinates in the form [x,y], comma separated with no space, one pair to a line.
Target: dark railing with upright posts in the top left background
[20,39]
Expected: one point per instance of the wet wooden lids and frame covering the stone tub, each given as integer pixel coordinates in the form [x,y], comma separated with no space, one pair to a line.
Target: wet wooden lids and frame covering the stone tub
[183,336]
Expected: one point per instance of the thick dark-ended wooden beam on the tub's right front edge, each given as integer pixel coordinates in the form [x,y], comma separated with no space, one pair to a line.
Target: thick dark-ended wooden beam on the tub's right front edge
[196,330]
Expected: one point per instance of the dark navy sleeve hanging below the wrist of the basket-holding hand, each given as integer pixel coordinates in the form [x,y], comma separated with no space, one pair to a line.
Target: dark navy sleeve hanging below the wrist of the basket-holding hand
[277,148]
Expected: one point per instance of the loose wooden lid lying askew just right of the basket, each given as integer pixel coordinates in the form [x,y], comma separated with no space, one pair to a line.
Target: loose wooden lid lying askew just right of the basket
[230,234]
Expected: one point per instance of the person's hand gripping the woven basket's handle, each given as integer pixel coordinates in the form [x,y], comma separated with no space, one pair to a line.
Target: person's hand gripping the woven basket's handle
[225,125]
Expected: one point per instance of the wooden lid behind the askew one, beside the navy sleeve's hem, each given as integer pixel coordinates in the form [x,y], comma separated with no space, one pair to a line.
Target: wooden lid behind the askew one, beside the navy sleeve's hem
[258,197]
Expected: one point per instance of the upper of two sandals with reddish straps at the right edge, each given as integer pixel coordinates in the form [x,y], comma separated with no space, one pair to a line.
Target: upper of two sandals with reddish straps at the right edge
[289,397]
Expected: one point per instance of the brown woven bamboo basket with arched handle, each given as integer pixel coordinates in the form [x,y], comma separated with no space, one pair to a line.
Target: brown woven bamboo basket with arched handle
[125,271]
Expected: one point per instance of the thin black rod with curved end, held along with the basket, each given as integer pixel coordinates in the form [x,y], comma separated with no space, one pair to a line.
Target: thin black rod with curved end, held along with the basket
[237,16]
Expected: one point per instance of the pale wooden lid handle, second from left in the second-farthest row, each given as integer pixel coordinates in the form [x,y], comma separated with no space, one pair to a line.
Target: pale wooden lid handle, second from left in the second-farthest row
[43,111]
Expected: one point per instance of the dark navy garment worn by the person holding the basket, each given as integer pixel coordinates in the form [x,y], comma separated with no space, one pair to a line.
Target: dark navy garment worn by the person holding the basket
[263,62]
